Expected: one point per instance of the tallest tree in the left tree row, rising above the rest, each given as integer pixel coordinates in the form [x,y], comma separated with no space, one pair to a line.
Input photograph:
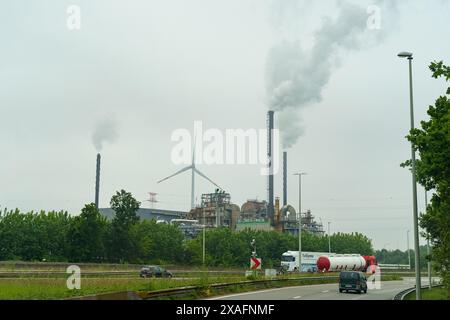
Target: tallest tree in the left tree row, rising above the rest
[123,244]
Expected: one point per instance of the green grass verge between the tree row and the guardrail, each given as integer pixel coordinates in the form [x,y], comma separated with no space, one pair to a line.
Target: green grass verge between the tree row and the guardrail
[43,287]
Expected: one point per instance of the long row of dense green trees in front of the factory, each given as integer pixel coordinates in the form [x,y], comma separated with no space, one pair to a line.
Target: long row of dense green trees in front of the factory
[90,238]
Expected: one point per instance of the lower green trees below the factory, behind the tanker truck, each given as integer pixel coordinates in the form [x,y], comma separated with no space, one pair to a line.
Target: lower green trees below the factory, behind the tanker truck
[229,249]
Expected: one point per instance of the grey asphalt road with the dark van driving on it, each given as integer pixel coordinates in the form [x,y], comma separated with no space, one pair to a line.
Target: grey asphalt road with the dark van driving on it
[324,292]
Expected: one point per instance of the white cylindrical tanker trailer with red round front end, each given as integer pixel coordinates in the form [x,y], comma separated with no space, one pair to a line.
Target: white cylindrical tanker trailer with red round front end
[341,262]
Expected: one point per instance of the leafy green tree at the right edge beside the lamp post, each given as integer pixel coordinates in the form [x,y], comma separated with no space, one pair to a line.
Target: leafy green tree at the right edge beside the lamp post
[432,141]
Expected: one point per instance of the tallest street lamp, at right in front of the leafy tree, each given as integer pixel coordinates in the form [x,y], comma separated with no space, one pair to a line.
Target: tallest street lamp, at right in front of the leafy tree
[409,56]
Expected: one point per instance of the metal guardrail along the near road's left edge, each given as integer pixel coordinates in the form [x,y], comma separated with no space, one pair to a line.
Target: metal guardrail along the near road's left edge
[176,292]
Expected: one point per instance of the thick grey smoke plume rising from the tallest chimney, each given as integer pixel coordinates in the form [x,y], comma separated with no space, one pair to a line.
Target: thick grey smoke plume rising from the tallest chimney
[297,73]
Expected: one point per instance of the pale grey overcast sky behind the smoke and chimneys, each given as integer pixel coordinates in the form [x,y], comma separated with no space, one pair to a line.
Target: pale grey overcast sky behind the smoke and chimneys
[152,67]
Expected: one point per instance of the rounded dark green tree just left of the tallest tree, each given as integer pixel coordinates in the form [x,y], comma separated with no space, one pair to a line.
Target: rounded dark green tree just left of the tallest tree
[87,235]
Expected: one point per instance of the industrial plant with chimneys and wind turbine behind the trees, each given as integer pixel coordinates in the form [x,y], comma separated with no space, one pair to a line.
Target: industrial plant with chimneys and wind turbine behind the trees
[217,210]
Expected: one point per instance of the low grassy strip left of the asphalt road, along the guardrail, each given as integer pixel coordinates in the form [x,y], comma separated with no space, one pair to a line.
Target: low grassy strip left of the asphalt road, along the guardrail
[55,288]
